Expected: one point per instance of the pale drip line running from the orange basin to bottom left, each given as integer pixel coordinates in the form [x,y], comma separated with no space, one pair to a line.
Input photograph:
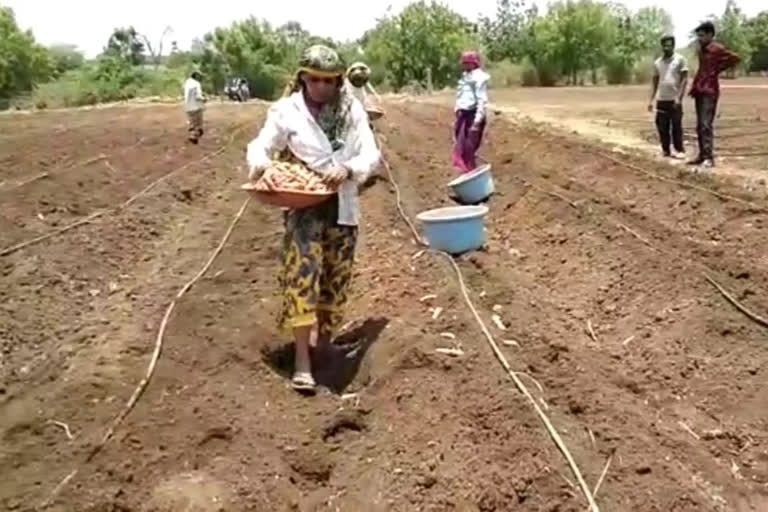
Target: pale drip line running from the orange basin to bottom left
[142,385]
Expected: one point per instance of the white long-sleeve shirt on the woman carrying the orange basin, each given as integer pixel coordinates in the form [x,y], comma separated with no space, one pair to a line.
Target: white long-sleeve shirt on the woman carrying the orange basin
[290,125]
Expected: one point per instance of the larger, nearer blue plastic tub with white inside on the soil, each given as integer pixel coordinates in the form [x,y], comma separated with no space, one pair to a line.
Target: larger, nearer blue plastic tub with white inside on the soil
[456,229]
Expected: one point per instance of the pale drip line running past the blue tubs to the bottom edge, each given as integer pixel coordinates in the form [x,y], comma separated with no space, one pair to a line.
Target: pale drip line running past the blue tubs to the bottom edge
[500,357]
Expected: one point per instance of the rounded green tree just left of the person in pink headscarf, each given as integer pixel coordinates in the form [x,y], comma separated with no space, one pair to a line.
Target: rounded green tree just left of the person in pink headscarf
[422,43]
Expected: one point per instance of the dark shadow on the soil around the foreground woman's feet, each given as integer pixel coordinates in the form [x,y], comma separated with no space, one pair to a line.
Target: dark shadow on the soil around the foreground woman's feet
[341,365]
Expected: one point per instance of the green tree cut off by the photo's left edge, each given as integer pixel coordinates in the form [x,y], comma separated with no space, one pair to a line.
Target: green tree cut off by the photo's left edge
[23,62]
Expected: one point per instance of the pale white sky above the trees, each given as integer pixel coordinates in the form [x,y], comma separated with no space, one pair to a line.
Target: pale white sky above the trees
[89,23]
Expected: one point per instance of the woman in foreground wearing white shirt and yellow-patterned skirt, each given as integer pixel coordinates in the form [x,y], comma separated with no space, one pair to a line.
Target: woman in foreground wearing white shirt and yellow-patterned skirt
[321,125]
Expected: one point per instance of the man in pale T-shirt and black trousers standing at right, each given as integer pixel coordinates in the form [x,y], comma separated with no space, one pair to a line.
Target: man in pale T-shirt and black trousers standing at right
[670,79]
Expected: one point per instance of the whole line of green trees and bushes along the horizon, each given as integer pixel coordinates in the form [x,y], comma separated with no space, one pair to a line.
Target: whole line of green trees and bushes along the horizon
[573,42]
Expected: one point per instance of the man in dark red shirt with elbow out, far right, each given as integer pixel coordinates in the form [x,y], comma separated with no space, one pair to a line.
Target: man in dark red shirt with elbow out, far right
[713,60]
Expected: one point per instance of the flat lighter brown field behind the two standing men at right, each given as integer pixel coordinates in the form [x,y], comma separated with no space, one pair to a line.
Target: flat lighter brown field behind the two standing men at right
[618,114]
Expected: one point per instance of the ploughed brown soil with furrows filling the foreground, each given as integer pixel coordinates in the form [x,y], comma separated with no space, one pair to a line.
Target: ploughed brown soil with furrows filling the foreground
[672,387]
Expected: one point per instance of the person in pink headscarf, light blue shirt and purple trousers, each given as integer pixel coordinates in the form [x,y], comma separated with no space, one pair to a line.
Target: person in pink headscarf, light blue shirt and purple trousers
[471,104]
